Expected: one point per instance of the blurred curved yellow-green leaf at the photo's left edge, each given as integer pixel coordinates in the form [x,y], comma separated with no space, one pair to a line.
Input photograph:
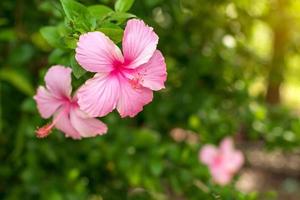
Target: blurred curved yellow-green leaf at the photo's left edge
[18,80]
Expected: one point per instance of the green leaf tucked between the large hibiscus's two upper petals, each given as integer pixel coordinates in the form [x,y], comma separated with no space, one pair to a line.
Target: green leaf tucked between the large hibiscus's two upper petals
[113,31]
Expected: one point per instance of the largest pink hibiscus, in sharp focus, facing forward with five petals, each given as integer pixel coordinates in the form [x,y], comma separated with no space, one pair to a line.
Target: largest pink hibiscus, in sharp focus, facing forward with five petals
[122,82]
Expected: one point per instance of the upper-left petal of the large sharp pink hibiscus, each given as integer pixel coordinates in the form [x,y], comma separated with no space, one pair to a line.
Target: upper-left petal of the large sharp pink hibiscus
[95,52]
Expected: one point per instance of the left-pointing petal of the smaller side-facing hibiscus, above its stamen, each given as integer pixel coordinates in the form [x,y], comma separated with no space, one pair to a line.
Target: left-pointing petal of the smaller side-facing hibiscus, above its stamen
[47,104]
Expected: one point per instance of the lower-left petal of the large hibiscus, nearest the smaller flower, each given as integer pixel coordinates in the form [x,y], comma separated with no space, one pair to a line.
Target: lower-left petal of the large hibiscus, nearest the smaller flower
[99,95]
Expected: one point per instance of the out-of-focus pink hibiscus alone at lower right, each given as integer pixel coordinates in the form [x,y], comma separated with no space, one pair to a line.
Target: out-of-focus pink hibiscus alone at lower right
[223,162]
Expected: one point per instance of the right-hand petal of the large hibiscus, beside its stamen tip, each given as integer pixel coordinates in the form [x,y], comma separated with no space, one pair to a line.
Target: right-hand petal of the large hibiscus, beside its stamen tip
[153,73]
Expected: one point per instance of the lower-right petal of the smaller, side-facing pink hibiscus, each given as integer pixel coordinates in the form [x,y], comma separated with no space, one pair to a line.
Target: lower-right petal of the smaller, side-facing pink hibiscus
[86,126]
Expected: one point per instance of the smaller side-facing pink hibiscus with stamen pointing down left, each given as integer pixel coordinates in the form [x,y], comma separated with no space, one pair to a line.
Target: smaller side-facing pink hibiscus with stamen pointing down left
[55,100]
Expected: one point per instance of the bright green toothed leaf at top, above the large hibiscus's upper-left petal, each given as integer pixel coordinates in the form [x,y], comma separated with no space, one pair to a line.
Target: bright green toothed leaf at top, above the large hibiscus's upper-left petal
[78,14]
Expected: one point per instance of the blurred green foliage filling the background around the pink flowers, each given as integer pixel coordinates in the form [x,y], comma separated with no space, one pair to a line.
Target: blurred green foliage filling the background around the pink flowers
[213,60]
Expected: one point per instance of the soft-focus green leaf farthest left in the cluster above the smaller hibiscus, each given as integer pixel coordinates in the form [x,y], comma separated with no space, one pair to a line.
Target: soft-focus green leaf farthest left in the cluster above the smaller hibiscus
[52,36]
